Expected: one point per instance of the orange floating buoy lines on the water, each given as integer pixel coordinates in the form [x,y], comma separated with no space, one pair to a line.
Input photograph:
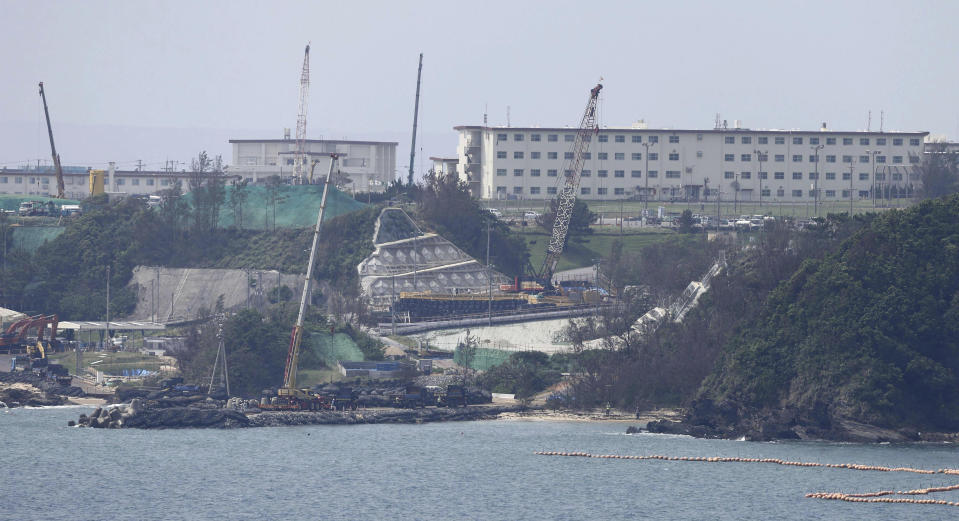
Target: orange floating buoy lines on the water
[868,497]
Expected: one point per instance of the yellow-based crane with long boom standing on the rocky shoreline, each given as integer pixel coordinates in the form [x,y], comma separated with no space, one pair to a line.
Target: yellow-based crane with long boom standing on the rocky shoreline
[289,397]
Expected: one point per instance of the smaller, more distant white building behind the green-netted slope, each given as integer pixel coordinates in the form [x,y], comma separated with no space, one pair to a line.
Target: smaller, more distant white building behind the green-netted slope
[370,165]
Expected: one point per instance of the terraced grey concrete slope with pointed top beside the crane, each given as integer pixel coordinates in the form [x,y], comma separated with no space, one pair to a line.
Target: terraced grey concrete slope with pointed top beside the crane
[406,260]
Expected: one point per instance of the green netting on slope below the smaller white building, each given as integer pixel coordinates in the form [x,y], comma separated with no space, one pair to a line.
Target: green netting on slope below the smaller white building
[296,207]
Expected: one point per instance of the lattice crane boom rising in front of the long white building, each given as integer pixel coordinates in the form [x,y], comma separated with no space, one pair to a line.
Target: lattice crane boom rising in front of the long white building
[567,199]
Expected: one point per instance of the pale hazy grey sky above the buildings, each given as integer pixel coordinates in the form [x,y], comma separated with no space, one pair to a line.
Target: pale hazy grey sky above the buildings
[160,81]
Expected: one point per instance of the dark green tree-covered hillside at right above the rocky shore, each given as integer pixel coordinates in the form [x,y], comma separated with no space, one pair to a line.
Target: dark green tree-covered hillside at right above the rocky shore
[869,332]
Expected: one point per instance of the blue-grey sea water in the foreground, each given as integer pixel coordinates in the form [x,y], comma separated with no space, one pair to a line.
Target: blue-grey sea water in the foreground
[457,471]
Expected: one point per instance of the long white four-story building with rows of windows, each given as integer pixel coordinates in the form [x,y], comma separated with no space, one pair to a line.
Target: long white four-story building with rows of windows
[670,164]
